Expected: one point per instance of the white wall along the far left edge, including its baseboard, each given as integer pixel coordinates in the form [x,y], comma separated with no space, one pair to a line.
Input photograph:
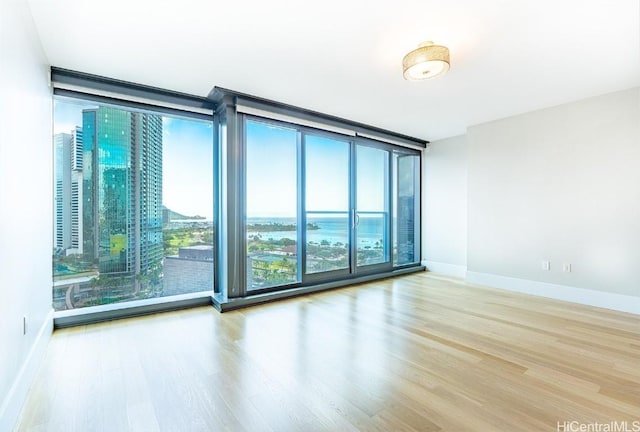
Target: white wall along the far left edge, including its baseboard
[25,206]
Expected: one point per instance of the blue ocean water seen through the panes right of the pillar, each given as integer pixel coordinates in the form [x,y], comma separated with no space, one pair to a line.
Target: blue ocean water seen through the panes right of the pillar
[334,229]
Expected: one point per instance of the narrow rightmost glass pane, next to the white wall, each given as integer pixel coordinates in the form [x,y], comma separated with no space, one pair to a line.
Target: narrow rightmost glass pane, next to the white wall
[406,209]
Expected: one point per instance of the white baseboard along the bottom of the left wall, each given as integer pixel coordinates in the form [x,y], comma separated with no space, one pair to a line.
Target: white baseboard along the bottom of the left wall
[13,401]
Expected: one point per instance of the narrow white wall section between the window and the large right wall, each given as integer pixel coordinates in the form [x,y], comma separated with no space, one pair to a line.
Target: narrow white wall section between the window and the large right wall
[444,206]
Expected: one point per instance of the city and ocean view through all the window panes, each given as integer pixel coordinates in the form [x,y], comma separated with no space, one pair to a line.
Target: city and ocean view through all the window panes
[133,216]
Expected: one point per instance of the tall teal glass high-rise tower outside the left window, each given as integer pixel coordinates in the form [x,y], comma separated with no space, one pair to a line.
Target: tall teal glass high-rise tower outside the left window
[122,189]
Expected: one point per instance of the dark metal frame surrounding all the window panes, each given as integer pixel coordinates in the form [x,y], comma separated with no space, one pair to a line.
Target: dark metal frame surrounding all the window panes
[223,108]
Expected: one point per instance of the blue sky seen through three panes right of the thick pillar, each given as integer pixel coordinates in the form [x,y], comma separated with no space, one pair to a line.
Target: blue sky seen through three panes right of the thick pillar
[271,173]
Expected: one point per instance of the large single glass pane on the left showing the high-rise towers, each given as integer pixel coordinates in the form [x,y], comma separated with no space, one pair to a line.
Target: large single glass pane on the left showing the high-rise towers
[133,205]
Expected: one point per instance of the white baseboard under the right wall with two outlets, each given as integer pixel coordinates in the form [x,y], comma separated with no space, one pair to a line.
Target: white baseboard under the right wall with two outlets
[619,302]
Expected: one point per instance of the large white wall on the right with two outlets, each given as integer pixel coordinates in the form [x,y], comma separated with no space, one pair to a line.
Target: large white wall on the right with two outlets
[560,184]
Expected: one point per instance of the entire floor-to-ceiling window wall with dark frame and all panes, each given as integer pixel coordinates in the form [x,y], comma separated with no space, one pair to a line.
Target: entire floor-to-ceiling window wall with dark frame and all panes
[188,199]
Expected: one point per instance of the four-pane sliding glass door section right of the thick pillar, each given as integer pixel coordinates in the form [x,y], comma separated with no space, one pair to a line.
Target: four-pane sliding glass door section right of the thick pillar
[322,207]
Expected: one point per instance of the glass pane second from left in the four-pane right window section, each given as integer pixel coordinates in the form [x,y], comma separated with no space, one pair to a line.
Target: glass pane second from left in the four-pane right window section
[327,204]
